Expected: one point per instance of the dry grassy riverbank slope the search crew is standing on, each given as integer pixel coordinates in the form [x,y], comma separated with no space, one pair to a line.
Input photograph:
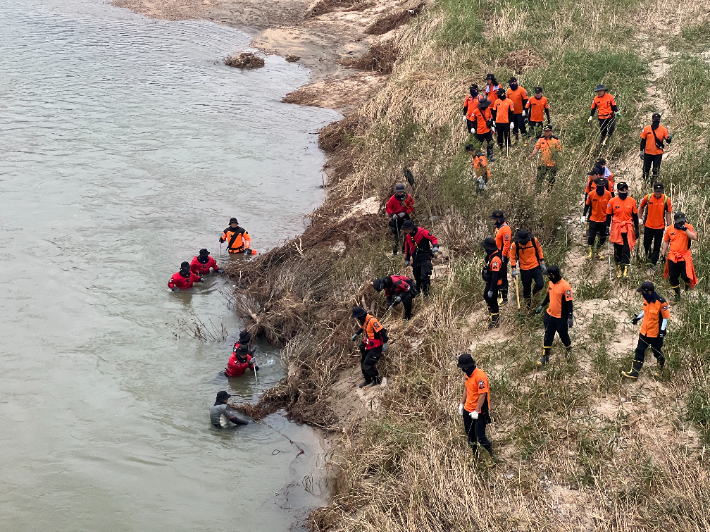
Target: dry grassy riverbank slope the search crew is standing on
[580,449]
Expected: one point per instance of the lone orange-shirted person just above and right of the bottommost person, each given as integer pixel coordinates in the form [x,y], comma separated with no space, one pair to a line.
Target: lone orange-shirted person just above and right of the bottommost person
[558,317]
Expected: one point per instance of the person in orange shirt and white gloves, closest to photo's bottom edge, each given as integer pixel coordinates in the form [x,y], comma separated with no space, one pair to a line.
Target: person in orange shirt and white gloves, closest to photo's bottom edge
[475,408]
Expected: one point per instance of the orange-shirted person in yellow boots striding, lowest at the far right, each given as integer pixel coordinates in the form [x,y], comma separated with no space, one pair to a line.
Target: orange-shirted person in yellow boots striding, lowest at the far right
[655,316]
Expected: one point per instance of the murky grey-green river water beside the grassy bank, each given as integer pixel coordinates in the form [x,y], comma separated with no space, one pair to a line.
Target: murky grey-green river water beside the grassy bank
[125,148]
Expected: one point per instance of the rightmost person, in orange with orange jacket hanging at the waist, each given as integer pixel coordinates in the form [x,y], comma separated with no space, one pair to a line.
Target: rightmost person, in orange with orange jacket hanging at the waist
[676,253]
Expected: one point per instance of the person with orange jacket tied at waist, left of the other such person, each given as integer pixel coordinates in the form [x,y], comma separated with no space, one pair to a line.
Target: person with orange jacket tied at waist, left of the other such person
[621,213]
